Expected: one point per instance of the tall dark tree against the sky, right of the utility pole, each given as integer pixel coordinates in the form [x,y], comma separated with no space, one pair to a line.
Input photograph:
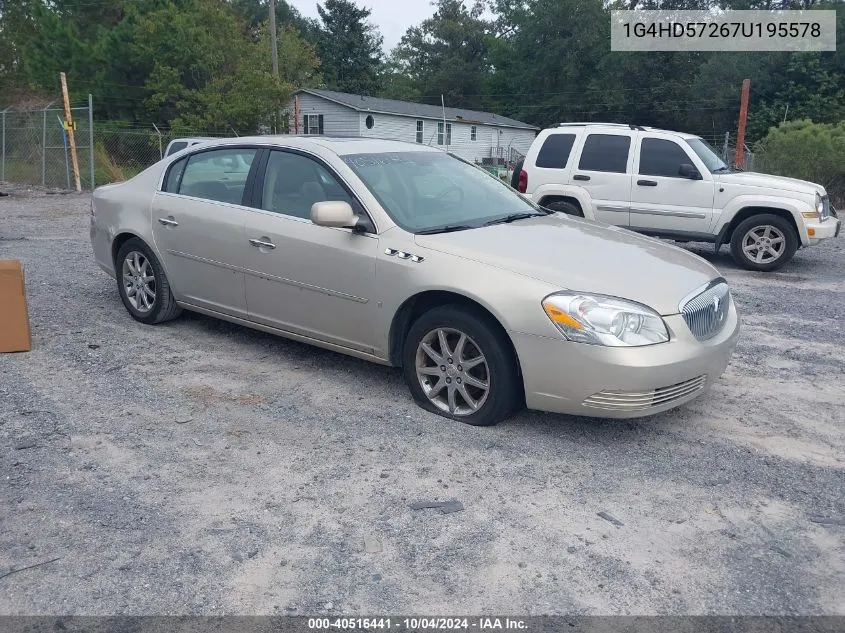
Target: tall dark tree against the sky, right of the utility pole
[349,48]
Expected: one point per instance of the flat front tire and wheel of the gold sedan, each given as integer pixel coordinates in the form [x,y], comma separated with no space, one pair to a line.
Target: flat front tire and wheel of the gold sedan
[497,368]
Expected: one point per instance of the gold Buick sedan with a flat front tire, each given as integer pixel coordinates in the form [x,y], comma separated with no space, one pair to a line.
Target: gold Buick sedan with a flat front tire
[405,255]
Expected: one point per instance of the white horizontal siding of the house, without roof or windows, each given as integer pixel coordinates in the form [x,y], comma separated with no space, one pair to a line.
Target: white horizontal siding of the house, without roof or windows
[341,120]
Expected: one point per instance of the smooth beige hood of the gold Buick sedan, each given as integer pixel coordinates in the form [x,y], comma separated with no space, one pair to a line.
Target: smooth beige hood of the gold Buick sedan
[583,256]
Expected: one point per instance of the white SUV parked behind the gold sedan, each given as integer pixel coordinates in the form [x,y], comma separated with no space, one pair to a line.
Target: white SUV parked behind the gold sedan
[673,185]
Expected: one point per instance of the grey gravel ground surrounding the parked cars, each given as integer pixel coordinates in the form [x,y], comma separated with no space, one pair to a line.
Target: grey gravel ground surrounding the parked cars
[202,468]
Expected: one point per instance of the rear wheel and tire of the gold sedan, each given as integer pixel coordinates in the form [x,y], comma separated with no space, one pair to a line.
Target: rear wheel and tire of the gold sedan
[134,255]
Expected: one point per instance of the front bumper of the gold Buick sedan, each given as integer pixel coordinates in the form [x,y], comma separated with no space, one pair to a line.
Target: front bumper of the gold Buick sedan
[622,382]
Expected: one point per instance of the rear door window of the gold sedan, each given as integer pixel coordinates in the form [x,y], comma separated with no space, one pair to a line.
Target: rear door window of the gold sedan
[218,174]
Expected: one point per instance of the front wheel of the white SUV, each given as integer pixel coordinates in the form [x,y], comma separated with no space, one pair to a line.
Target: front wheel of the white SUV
[771,233]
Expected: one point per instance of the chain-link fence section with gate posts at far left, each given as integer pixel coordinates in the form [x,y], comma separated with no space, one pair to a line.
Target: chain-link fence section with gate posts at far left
[35,147]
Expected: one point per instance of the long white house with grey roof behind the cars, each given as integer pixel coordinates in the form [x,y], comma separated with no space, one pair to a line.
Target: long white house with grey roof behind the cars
[480,137]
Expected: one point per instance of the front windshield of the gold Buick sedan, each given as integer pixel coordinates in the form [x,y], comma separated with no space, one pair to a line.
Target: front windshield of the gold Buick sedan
[434,191]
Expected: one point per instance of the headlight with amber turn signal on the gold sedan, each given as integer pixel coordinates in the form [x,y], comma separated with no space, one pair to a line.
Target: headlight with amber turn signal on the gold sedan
[601,320]
